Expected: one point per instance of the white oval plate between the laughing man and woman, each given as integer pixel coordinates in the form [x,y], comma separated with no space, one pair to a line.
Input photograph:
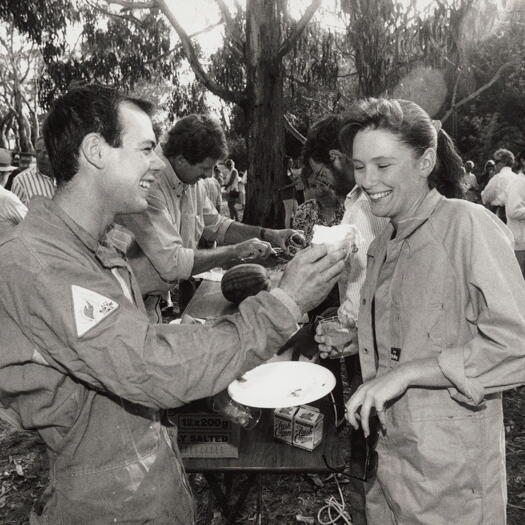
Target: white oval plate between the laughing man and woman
[282,384]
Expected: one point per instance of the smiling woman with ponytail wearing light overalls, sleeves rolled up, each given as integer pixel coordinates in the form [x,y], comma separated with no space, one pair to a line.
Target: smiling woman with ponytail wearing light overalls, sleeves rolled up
[440,328]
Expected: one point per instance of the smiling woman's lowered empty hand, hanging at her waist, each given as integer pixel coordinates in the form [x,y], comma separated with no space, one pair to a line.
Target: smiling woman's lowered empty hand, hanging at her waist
[375,394]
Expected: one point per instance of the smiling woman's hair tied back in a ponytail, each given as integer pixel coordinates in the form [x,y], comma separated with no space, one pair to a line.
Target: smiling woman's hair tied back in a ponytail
[414,127]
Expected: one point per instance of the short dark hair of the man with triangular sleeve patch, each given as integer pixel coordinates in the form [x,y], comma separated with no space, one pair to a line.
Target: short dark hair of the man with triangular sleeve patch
[90,108]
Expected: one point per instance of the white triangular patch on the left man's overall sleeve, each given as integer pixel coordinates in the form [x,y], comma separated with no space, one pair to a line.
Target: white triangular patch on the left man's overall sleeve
[89,308]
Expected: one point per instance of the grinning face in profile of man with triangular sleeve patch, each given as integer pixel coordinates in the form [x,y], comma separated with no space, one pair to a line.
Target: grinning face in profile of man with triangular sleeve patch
[131,167]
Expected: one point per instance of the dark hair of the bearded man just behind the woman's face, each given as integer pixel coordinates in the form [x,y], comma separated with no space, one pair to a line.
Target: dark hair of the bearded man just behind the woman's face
[322,137]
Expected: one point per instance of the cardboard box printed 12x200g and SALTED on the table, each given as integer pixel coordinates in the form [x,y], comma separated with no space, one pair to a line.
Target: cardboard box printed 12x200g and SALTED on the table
[207,435]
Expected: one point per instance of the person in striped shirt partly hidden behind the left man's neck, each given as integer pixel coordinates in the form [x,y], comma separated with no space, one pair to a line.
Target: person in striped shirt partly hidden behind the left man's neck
[37,180]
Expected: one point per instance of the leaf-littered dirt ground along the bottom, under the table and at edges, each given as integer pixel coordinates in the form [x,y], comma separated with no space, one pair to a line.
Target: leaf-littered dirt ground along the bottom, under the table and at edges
[287,500]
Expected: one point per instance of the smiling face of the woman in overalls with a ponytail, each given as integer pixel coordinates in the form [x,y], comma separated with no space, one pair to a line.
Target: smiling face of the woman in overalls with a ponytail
[391,174]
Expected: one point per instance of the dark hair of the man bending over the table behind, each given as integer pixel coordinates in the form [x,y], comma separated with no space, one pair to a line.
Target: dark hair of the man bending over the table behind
[196,137]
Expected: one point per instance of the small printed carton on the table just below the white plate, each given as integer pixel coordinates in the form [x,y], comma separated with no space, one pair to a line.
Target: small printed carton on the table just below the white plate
[298,426]
